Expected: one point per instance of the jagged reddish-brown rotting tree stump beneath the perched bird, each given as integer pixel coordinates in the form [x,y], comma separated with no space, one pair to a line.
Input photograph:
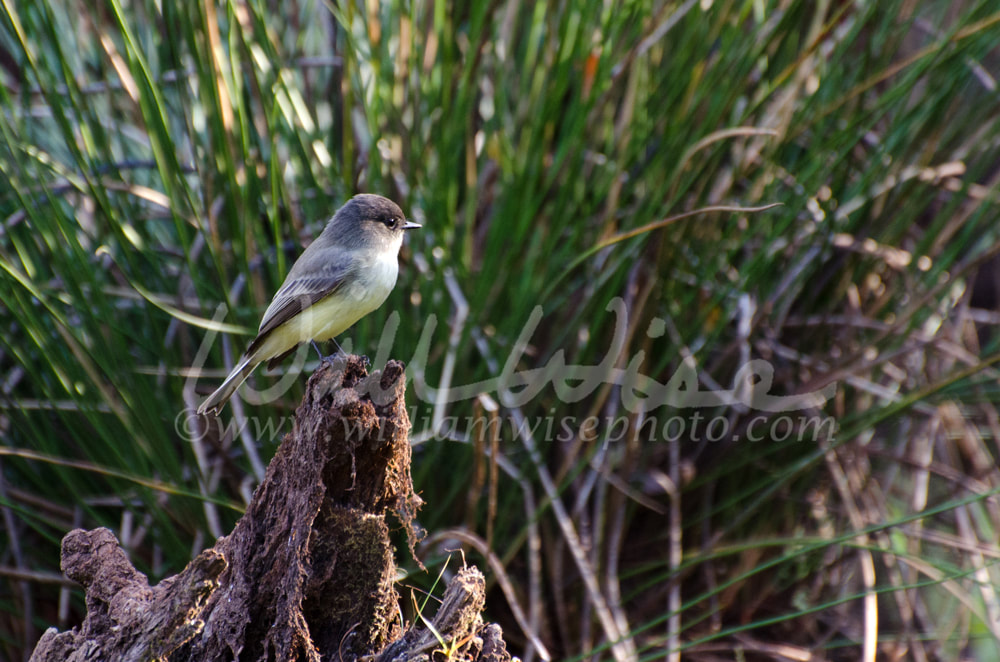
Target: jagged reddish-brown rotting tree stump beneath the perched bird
[308,571]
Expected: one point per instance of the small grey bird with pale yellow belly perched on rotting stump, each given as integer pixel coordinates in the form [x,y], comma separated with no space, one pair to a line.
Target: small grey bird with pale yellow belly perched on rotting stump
[341,277]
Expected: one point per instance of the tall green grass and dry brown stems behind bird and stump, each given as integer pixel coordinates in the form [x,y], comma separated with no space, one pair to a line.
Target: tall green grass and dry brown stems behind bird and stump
[159,159]
